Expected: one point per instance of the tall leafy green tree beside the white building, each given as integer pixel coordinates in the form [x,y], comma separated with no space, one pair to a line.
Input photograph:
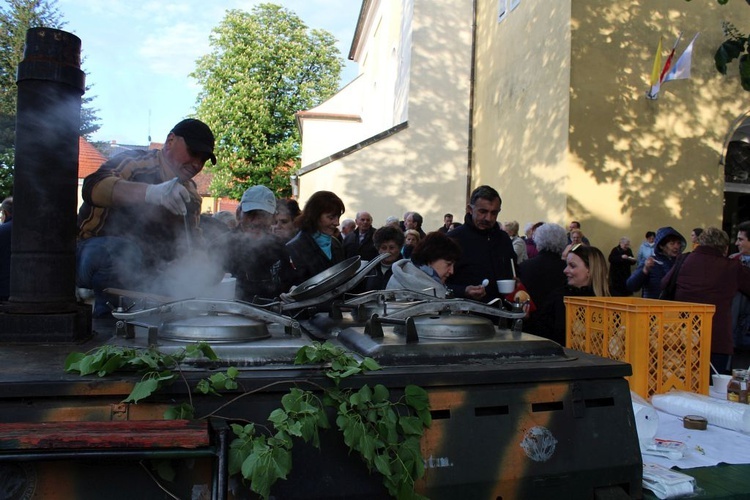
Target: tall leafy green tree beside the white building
[263,67]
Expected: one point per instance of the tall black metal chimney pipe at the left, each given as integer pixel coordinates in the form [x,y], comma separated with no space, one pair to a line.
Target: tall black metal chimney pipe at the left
[42,305]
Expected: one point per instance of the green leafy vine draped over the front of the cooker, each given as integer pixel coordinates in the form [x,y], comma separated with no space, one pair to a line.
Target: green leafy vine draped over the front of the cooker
[384,433]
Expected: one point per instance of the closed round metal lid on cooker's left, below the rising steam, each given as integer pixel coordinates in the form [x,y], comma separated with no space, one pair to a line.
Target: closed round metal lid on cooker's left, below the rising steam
[214,328]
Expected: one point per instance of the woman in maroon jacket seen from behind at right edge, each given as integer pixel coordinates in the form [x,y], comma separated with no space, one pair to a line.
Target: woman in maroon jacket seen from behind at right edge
[708,276]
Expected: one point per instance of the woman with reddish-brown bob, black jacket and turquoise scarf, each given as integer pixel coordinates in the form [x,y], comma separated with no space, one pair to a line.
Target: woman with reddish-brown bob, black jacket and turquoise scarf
[315,248]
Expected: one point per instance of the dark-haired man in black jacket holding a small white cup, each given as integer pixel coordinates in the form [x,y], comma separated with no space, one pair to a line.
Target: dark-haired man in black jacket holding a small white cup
[487,251]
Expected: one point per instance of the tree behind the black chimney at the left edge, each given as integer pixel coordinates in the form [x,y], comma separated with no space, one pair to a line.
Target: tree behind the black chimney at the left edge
[15,19]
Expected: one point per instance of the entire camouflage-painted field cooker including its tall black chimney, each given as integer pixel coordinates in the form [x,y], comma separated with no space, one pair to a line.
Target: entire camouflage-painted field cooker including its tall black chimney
[514,416]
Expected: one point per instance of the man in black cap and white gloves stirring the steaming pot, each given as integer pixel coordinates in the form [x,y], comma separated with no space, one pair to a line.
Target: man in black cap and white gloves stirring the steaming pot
[141,210]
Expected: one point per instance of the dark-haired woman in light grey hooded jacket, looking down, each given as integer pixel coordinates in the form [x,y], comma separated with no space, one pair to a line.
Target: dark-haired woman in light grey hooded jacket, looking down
[431,264]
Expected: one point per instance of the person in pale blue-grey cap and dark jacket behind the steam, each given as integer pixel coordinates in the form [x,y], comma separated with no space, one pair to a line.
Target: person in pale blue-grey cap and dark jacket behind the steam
[253,254]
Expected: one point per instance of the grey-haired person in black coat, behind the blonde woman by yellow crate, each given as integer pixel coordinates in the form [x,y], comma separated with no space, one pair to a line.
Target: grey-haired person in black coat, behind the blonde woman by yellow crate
[544,280]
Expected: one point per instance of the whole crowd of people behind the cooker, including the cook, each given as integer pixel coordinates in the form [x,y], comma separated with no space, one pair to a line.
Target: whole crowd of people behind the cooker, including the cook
[140,228]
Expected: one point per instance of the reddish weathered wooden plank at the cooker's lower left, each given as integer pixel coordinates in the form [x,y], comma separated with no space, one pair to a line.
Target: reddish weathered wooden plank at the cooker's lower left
[131,434]
